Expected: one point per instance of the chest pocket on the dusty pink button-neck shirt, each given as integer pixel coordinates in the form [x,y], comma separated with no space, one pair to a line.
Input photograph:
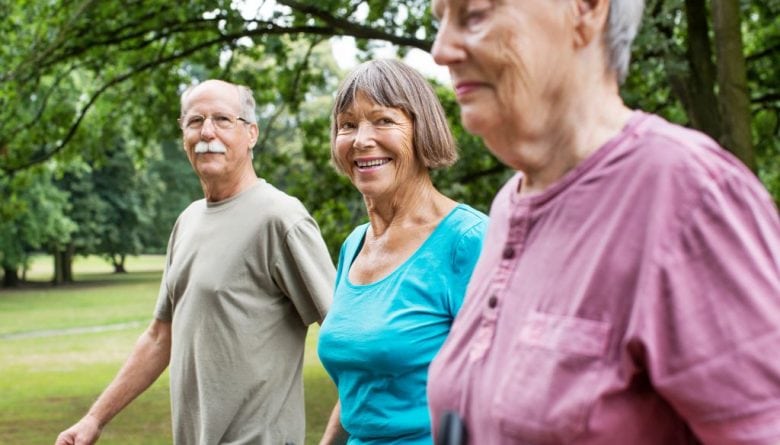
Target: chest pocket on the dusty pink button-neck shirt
[552,378]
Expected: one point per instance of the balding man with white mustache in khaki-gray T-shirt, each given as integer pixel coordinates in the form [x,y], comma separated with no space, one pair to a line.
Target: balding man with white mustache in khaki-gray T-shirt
[246,272]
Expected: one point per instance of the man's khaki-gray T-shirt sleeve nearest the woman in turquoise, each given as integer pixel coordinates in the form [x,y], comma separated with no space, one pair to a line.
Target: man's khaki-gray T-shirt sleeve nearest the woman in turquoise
[304,271]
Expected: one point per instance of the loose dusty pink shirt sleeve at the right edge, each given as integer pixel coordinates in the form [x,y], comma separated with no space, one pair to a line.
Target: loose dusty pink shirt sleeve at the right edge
[715,326]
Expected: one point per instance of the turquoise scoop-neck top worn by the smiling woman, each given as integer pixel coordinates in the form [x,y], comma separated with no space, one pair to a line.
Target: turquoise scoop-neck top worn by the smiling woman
[378,339]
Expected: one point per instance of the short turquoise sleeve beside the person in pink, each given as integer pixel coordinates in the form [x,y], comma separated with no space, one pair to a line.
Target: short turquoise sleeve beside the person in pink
[465,256]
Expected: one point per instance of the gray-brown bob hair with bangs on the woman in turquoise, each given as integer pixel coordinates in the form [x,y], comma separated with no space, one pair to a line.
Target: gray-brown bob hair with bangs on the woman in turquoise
[393,84]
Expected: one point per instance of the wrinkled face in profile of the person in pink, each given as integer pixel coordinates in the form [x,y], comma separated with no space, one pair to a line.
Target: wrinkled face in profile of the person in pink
[509,62]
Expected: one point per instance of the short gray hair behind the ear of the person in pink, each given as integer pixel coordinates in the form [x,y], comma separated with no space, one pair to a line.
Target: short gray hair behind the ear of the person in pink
[622,26]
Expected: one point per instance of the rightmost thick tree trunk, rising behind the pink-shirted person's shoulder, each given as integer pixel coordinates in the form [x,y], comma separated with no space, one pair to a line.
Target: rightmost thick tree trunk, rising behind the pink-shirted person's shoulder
[732,81]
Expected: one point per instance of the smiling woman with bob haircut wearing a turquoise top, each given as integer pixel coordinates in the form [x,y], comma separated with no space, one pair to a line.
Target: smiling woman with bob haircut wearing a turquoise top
[402,276]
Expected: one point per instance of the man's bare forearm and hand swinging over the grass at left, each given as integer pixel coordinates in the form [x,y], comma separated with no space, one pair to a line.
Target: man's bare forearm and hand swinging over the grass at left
[148,360]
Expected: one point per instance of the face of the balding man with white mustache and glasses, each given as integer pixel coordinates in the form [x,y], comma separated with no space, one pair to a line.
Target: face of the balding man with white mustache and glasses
[217,154]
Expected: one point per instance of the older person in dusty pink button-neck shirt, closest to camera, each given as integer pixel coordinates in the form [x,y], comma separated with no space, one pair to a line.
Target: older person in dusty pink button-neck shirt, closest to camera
[629,288]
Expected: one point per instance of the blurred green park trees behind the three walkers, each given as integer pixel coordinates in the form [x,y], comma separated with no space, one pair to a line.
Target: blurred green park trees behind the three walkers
[90,157]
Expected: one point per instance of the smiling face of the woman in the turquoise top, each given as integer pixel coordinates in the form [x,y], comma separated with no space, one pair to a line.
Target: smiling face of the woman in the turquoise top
[374,146]
